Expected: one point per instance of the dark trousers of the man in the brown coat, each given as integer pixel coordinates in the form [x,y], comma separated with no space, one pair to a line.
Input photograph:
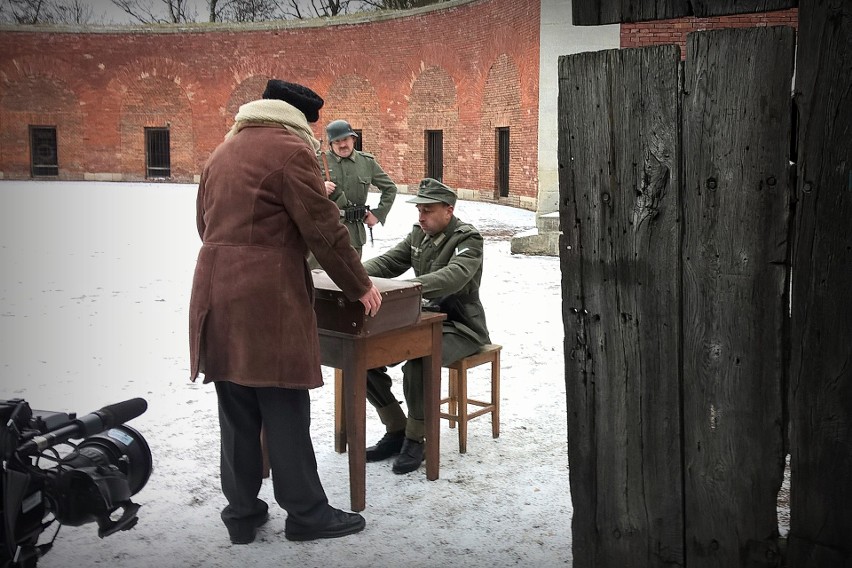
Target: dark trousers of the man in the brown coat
[286,415]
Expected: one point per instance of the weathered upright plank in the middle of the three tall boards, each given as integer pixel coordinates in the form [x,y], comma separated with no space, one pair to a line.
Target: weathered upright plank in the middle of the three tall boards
[736,216]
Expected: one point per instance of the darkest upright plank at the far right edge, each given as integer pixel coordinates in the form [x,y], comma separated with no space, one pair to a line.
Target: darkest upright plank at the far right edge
[821,373]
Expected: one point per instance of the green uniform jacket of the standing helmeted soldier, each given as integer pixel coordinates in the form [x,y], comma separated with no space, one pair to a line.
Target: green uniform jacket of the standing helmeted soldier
[353,177]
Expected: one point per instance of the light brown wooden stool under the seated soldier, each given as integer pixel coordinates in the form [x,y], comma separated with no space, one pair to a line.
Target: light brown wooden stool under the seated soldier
[458,401]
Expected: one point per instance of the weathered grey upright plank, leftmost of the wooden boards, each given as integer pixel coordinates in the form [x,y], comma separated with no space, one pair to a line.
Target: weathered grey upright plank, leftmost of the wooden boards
[618,122]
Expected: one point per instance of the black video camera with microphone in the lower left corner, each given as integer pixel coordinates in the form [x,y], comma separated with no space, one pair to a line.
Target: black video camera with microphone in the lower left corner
[83,482]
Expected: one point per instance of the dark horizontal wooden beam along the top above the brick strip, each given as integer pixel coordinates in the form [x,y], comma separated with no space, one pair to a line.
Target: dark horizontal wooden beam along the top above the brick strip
[598,12]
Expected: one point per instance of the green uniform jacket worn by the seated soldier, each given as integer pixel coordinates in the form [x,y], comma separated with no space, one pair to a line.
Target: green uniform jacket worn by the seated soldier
[449,267]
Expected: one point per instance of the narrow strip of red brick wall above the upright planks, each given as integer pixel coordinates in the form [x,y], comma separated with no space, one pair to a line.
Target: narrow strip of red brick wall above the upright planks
[675,31]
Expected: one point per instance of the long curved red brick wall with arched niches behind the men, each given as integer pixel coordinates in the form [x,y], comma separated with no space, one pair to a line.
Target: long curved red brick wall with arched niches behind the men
[466,69]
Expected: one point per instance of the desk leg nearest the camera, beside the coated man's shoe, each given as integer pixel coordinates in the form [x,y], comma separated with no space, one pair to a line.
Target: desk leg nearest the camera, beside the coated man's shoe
[355,405]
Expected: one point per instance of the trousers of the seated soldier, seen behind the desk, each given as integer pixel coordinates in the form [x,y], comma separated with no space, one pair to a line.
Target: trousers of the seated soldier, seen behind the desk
[454,347]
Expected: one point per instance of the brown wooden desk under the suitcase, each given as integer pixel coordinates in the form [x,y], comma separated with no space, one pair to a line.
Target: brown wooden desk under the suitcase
[354,355]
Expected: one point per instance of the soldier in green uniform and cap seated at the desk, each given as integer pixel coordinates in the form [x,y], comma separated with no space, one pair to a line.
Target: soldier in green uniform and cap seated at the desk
[446,255]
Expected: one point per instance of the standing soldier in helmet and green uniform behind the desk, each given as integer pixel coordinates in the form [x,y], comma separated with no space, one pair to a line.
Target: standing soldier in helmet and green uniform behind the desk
[348,175]
